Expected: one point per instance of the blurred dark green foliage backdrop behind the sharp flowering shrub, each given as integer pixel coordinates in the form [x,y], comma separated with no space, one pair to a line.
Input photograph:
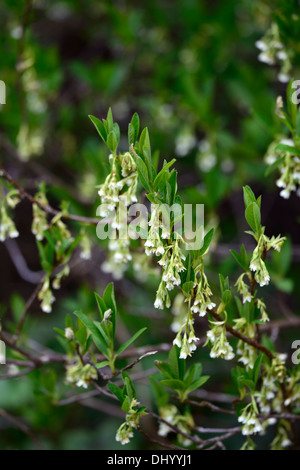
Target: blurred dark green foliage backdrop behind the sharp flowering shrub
[190,69]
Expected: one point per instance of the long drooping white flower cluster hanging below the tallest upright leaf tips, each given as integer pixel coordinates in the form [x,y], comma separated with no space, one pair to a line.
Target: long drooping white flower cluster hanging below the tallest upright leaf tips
[118,192]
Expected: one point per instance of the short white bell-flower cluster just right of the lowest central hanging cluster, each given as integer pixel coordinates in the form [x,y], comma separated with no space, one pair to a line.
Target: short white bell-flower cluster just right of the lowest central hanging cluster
[216,337]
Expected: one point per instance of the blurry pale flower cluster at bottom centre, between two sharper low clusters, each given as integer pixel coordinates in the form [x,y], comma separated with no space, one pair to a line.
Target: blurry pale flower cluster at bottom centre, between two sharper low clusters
[172,415]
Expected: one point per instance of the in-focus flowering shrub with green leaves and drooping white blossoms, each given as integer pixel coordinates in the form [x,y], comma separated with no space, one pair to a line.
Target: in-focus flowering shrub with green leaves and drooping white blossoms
[262,380]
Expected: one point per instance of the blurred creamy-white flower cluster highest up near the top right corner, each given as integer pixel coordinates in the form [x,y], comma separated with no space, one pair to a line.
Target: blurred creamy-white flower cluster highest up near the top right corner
[273,52]
